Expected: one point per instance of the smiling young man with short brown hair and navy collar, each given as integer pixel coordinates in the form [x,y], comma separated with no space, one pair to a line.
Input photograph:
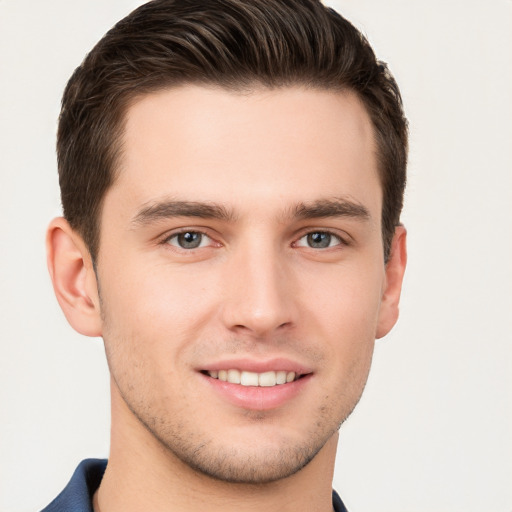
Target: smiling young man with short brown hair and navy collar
[232,176]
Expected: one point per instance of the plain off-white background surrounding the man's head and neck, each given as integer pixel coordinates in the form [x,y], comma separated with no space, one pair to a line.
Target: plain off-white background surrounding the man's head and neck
[433,431]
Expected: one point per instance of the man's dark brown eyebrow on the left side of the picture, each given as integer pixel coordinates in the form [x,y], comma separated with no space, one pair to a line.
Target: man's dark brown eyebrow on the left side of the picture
[168,209]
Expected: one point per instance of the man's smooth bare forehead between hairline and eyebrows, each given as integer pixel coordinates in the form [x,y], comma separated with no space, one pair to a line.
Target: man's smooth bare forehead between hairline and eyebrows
[289,144]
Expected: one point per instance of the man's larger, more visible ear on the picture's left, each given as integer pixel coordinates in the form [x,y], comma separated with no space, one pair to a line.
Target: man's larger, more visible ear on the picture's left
[73,277]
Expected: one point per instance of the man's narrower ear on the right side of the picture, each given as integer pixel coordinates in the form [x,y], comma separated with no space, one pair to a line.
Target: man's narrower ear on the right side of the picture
[395,269]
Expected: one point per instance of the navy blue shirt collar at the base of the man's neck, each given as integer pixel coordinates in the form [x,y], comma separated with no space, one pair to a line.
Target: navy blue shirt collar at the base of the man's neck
[77,495]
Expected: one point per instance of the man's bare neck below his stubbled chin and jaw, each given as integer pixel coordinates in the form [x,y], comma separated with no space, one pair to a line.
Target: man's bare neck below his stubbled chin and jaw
[142,474]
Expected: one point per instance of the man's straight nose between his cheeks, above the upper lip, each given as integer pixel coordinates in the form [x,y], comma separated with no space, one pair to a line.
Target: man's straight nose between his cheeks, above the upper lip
[259,295]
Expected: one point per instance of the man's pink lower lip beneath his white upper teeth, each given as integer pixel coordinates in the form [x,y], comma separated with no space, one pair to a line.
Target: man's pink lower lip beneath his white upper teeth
[258,398]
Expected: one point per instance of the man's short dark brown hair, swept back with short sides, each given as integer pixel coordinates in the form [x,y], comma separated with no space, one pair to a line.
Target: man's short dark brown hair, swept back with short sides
[235,44]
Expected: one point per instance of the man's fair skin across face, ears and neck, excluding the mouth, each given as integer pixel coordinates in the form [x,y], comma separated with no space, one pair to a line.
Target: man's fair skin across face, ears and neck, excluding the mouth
[277,166]
